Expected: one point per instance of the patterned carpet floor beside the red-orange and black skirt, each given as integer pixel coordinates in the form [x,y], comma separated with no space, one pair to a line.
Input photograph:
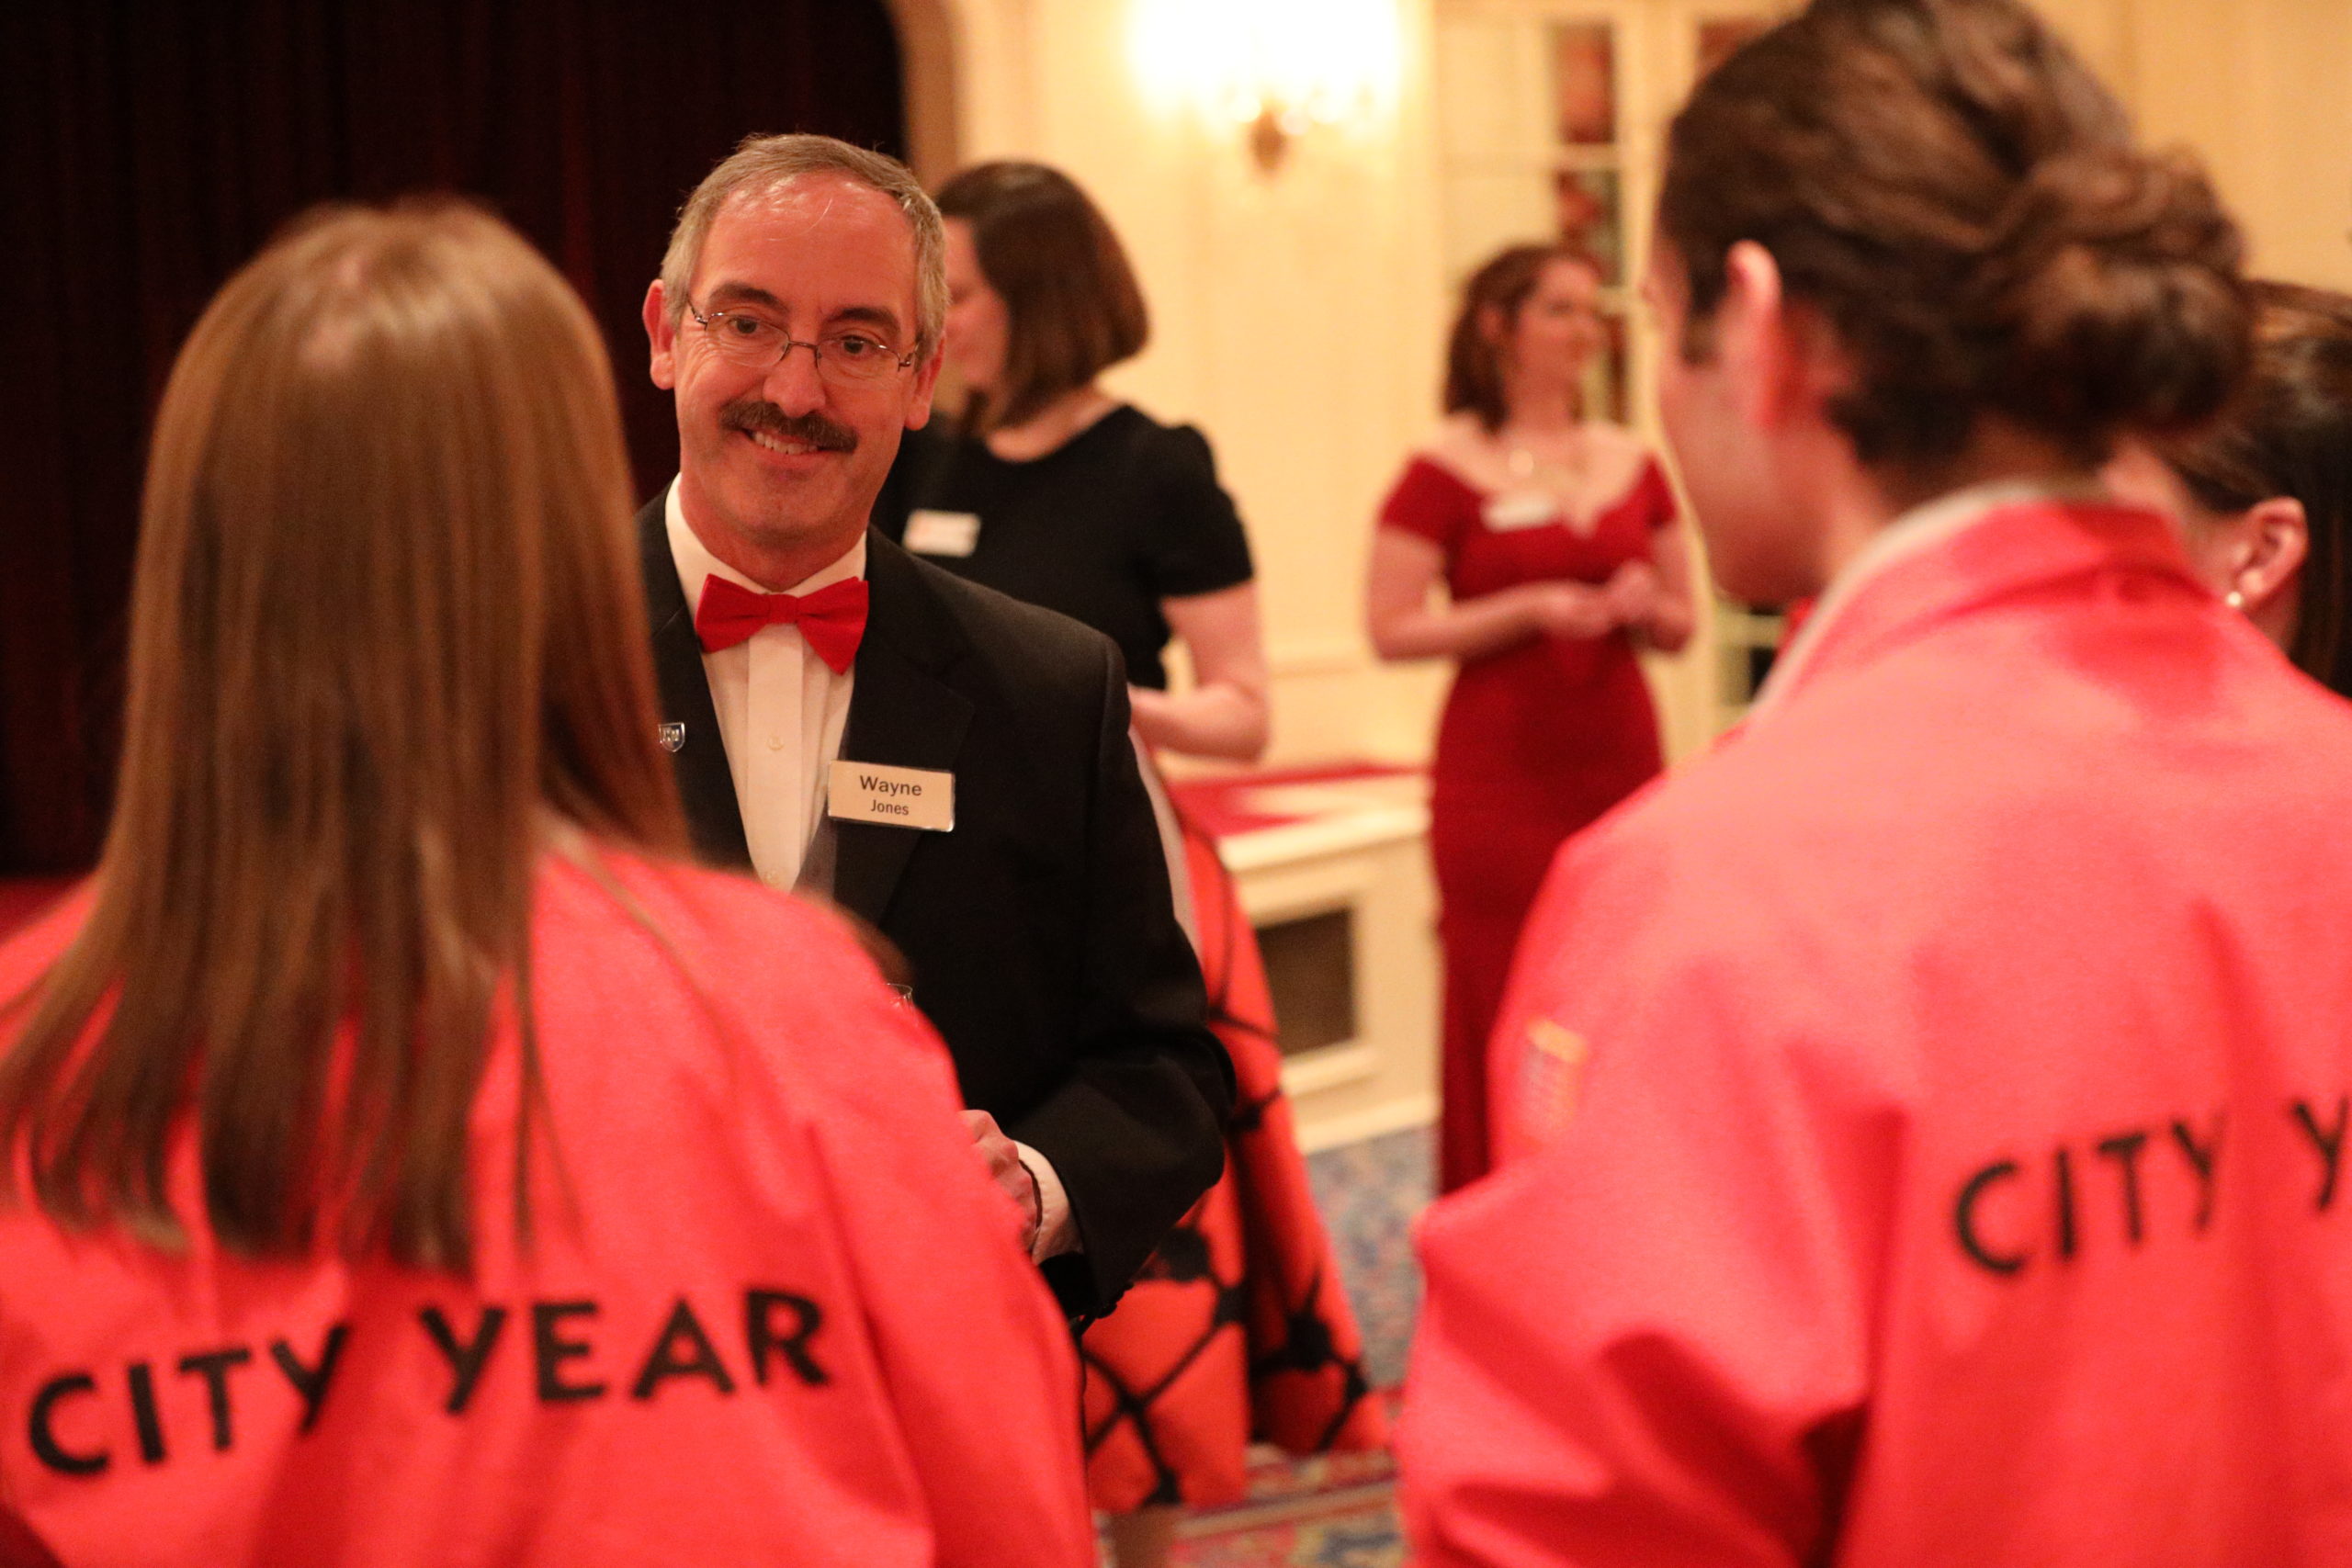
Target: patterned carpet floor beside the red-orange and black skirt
[1339,1513]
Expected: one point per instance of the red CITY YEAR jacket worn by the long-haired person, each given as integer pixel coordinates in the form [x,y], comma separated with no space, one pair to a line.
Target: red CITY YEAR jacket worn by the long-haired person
[775,1311]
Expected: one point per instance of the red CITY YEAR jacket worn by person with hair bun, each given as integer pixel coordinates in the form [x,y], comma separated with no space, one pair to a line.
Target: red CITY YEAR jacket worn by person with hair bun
[1930,1108]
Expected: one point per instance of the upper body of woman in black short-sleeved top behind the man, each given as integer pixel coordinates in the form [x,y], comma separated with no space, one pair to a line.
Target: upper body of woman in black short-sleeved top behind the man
[1057,492]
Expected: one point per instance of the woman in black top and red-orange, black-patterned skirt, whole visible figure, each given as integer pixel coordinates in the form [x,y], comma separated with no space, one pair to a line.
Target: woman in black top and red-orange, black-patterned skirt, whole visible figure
[1057,492]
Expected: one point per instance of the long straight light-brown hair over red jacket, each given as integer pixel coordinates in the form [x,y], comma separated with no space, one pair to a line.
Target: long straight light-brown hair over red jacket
[385,636]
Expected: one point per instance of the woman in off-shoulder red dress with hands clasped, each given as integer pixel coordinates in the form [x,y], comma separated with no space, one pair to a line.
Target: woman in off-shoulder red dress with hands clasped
[1558,547]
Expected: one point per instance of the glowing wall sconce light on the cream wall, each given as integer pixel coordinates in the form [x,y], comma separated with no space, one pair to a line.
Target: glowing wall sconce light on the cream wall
[1278,69]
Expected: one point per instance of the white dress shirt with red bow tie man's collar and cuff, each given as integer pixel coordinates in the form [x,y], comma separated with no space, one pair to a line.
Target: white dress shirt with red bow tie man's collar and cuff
[782,713]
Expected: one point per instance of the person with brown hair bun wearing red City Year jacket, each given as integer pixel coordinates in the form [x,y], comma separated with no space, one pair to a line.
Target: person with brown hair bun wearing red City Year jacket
[1923,1113]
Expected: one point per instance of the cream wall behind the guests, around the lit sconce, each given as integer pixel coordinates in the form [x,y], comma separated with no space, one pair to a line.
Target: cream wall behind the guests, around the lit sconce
[1297,316]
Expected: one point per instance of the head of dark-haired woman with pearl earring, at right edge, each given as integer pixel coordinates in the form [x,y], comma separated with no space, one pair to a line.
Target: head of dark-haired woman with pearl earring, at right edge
[2266,492]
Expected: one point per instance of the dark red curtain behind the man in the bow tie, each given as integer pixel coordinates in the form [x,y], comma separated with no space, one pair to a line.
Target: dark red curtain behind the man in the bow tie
[149,147]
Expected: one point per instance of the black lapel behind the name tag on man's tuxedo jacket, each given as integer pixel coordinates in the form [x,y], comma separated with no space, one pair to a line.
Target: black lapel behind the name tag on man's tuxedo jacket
[902,713]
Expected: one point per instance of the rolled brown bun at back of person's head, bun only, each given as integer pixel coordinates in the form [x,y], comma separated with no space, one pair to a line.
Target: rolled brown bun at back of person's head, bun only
[2113,276]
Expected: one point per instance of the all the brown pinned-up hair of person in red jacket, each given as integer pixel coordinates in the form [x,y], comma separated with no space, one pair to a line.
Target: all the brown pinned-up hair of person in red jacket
[1965,206]
